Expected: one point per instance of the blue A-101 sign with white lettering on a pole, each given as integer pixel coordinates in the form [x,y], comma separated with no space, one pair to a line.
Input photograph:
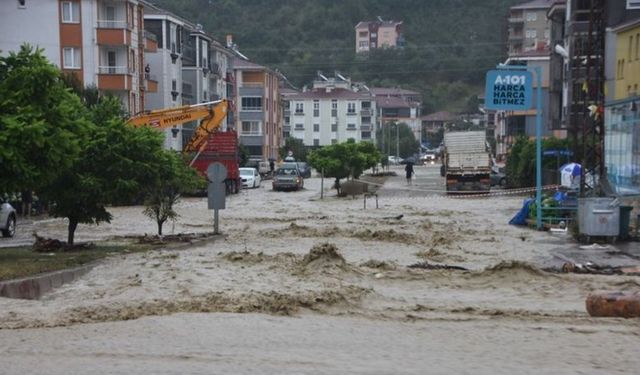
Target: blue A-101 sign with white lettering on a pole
[508,90]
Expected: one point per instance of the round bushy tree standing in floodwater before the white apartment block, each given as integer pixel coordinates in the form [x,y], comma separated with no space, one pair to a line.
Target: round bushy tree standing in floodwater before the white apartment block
[344,160]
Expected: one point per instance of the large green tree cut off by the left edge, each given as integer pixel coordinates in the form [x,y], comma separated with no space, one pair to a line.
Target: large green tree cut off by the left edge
[42,124]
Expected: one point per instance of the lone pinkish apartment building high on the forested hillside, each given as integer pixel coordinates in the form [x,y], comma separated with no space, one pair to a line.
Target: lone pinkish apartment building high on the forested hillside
[378,34]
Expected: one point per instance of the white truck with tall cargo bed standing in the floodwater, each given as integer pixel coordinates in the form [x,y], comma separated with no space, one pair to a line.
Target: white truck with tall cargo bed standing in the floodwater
[466,164]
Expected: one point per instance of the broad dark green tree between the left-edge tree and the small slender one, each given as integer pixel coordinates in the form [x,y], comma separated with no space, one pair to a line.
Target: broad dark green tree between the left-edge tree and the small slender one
[115,163]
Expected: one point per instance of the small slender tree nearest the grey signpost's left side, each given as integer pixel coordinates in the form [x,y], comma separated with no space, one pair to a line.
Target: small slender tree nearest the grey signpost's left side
[172,180]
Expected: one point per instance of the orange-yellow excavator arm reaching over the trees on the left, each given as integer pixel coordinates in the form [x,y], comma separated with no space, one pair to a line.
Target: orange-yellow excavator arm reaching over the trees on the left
[209,114]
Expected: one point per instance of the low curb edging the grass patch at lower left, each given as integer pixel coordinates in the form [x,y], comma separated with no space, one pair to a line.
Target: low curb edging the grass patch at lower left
[35,287]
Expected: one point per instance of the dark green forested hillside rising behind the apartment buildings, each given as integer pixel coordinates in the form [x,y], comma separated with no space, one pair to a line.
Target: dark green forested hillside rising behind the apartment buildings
[449,46]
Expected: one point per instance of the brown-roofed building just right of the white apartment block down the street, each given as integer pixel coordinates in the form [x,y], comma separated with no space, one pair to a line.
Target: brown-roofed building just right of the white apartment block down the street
[399,106]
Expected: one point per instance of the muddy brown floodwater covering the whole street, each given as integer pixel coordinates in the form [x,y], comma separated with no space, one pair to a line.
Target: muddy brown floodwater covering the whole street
[301,285]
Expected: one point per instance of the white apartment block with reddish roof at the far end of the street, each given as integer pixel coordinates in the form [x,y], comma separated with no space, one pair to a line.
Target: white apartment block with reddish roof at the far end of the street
[333,111]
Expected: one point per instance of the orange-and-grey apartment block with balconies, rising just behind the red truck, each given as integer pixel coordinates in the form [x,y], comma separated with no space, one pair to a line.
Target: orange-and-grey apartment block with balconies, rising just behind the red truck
[257,112]
